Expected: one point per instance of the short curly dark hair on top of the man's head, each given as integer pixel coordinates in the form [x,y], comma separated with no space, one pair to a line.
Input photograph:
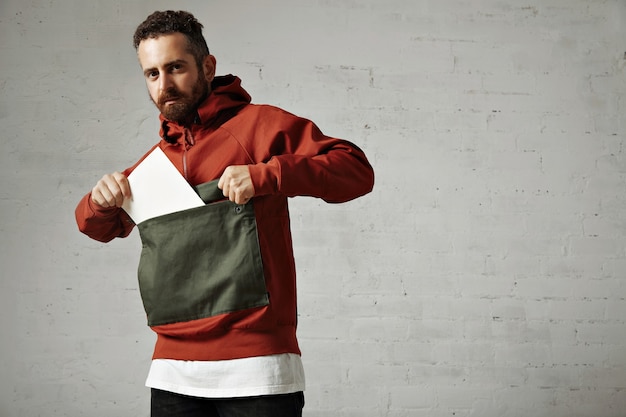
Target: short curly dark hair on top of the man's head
[169,21]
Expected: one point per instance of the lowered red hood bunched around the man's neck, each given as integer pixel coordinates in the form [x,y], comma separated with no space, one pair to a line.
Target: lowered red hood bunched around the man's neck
[226,98]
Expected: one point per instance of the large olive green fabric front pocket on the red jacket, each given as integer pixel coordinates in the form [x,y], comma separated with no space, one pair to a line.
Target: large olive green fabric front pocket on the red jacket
[201,262]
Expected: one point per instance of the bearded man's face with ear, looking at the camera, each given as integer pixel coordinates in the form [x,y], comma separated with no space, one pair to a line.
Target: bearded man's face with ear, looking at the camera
[175,83]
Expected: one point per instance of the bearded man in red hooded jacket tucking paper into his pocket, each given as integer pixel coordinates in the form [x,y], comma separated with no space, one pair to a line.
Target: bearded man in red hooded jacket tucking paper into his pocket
[220,357]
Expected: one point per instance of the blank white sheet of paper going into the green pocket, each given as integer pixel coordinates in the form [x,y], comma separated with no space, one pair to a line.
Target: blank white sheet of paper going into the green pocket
[157,189]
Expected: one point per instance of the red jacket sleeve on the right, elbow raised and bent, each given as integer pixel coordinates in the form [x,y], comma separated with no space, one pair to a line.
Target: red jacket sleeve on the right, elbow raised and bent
[305,162]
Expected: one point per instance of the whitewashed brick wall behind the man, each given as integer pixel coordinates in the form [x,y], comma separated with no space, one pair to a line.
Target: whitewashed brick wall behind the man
[484,276]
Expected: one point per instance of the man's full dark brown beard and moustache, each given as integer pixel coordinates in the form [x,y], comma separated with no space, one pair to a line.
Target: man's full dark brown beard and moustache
[186,105]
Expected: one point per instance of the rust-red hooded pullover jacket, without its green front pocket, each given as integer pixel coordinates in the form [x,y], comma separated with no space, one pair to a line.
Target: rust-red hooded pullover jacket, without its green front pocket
[287,156]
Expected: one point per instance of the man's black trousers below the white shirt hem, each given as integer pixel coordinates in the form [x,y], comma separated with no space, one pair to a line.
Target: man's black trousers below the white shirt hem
[168,404]
